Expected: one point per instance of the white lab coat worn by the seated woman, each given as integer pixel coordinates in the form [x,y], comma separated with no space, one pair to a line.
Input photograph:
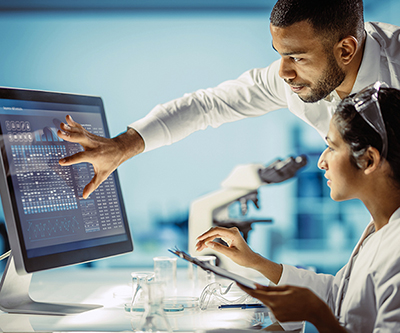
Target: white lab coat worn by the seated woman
[365,294]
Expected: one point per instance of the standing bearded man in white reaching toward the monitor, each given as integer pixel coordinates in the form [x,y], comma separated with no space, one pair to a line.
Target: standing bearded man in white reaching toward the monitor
[326,53]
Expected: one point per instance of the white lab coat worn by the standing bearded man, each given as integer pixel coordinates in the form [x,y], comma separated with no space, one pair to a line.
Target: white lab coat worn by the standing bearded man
[261,90]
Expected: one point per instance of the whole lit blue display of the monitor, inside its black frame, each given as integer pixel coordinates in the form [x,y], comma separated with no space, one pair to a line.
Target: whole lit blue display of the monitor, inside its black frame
[53,216]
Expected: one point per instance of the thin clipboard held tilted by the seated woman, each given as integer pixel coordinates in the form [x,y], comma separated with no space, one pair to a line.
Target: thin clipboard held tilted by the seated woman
[215,269]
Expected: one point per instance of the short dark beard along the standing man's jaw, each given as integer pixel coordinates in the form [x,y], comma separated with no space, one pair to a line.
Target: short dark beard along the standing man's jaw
[330,79]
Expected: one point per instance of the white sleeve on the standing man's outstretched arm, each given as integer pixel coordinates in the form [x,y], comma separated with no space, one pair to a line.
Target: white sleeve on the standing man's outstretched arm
[254,93]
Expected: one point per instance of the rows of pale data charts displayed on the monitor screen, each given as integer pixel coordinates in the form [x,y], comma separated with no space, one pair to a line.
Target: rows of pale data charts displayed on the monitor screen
[50,195]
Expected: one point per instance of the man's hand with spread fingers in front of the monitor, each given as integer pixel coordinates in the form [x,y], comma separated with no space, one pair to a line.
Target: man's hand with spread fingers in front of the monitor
[104,154]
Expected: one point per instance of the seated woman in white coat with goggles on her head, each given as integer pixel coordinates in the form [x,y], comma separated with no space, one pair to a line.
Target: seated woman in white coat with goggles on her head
[362,161]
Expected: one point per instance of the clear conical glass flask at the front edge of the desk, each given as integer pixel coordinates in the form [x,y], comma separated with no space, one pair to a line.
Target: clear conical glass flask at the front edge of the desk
[154,318]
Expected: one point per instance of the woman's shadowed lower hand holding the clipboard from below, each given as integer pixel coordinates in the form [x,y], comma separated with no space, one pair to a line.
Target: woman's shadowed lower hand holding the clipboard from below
[290,303]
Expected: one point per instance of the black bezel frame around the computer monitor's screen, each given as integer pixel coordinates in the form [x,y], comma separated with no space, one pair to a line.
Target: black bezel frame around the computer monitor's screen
[25,264]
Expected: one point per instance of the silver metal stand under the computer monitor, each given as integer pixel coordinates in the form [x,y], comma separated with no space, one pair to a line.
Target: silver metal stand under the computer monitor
[14,296]
